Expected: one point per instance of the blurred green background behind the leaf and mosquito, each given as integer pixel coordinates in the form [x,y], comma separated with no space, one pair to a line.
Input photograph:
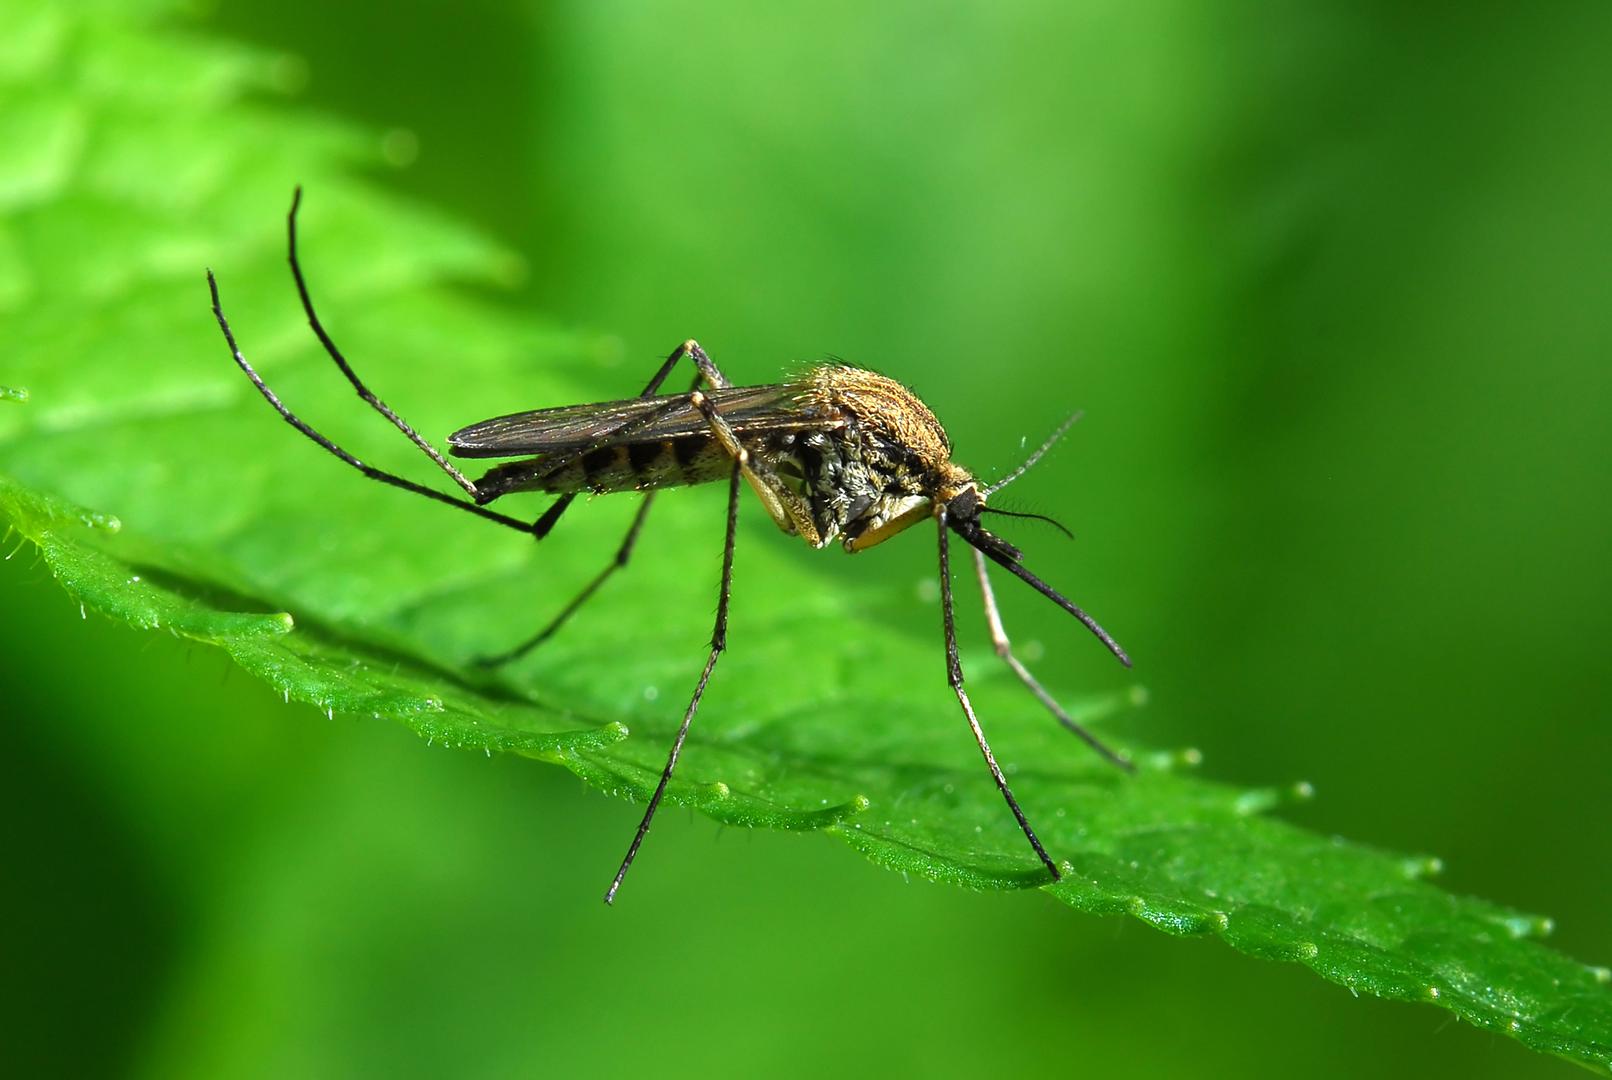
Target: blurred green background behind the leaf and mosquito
[1329,281]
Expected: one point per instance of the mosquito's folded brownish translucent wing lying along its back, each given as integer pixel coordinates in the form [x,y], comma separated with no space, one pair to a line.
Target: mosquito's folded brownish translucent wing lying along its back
[636,420]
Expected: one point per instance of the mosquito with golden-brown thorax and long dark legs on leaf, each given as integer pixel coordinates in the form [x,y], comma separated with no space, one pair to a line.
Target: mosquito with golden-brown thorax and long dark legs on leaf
[837,454]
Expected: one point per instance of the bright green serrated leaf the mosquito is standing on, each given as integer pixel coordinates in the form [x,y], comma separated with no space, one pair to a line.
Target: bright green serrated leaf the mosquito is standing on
[217,523]
